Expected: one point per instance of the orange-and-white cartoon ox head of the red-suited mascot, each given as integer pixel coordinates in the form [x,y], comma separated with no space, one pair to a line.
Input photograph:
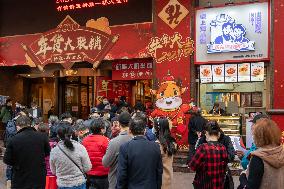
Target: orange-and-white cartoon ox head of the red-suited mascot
[169,94]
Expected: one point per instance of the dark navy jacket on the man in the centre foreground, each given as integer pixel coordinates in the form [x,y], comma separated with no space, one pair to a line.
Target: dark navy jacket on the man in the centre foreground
[139,165]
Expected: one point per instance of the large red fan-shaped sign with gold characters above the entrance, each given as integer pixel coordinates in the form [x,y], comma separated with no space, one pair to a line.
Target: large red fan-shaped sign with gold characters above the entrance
[70,43]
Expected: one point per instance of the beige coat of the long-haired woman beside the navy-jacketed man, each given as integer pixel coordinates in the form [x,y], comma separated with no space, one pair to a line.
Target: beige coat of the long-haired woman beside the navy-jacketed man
[167,169]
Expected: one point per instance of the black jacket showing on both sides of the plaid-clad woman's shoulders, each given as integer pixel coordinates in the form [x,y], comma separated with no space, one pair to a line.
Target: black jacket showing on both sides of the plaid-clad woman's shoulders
[226,141]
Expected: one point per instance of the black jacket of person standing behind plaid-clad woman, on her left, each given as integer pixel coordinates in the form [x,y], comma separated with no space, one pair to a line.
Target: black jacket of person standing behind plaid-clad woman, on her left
[196,123]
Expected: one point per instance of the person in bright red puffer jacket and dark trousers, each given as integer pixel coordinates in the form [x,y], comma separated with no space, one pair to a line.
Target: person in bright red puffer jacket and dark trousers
[96,145]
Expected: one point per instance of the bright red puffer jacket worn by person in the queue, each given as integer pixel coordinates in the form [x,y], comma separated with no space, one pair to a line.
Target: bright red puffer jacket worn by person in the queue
[96,146]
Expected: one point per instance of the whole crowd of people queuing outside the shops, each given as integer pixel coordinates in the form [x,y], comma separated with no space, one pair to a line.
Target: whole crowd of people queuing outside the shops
[118,148]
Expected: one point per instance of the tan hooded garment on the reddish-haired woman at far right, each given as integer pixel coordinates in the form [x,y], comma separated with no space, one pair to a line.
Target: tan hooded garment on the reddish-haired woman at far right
[273,160]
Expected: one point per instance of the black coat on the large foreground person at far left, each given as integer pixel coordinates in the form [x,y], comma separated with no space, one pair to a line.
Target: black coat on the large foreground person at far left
[26,152]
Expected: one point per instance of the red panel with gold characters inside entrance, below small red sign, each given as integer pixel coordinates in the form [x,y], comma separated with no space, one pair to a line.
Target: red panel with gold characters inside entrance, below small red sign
[105,87]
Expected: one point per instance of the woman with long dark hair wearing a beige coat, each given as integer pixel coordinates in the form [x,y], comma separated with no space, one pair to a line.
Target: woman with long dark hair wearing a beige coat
[167,147]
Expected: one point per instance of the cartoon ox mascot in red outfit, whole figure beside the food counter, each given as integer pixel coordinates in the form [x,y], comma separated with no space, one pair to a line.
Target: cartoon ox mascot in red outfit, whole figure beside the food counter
[169,104]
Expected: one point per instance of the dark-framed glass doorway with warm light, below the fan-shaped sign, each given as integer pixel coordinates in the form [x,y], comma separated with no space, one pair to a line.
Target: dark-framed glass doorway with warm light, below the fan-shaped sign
[78,95]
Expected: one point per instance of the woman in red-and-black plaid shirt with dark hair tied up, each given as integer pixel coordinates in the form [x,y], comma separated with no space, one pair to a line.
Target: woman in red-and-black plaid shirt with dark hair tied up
[210,160]
